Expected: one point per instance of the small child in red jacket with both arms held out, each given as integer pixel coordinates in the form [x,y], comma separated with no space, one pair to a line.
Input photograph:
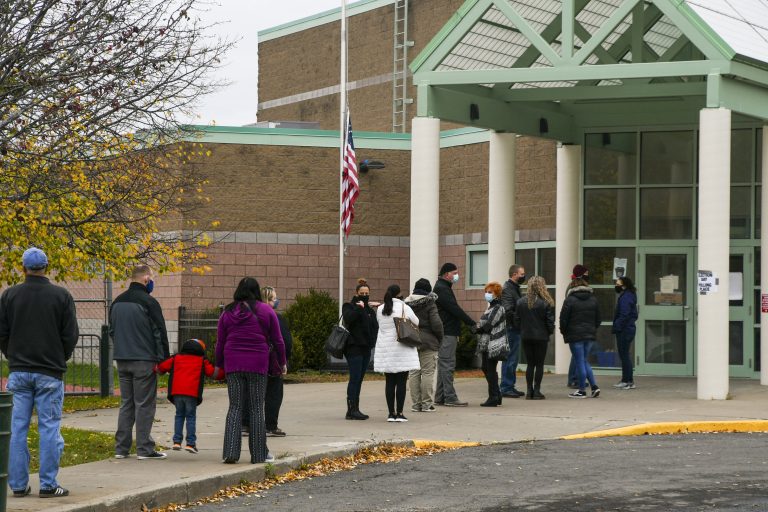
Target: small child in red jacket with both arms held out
[188,370]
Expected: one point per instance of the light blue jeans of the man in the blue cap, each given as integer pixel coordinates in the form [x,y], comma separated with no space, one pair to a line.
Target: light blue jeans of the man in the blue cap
[46,394]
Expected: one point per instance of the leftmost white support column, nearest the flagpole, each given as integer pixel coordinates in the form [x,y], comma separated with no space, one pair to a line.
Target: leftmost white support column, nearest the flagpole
[425,200]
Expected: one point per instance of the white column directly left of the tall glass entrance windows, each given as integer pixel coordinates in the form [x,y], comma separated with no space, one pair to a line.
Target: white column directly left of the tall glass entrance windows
[567,235]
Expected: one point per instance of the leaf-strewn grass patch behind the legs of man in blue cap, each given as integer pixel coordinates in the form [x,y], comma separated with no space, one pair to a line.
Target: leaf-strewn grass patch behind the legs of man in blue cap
[80,446]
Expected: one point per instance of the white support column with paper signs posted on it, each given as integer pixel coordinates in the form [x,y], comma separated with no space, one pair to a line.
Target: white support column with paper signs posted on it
[713,251]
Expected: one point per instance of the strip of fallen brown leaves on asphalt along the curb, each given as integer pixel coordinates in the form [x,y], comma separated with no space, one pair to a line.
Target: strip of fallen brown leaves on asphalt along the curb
[382,453]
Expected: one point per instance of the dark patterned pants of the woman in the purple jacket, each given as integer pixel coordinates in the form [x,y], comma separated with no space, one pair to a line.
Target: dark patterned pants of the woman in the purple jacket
[246,388]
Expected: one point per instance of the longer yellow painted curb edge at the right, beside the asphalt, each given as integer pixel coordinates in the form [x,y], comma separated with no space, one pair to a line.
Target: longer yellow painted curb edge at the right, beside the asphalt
[676,427]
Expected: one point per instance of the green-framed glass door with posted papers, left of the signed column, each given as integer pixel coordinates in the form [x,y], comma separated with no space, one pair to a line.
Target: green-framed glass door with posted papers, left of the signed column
[666,318]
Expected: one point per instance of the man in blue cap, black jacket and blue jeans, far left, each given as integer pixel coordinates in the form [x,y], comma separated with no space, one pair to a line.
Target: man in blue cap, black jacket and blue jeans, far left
[38,334]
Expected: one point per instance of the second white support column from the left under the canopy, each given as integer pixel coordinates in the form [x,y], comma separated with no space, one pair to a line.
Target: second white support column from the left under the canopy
[501,205]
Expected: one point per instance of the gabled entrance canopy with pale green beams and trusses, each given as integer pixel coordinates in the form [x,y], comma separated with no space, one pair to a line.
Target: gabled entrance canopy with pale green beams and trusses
[555,68]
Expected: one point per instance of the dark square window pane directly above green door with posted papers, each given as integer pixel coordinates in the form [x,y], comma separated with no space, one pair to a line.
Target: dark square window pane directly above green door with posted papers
[666,213]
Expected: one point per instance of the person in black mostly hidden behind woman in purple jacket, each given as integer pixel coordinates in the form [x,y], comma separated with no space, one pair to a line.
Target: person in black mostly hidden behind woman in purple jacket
[274,394]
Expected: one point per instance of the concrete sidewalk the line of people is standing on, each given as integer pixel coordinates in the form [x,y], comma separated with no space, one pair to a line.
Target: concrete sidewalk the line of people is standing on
[313,417]
